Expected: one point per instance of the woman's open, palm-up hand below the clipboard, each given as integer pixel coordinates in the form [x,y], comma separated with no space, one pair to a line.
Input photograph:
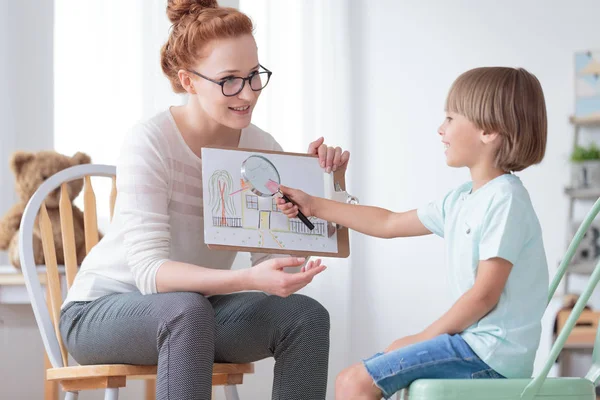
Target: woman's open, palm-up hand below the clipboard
[270,277]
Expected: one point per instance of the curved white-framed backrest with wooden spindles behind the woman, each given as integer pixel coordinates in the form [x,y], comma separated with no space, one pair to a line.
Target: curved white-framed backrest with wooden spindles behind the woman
[47,312]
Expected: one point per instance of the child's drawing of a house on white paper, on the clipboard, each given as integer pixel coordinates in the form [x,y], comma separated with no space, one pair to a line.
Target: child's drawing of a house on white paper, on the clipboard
[231,206]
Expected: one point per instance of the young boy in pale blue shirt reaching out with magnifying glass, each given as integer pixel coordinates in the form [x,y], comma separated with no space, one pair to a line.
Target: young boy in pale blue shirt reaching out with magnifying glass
[495,124]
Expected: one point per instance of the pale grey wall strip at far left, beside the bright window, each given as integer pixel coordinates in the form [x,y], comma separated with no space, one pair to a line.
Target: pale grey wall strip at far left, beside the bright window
[26,112]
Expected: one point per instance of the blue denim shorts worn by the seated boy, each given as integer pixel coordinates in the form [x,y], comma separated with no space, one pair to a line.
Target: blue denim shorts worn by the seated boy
[443,357]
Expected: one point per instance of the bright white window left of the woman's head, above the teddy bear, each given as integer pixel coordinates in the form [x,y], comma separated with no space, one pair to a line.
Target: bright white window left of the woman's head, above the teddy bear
[113,38]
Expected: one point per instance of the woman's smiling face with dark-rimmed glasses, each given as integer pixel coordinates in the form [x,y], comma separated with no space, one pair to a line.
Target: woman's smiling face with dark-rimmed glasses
[222,60]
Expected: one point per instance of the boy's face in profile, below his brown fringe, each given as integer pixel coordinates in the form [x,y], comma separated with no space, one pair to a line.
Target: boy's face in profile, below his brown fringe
[462,141]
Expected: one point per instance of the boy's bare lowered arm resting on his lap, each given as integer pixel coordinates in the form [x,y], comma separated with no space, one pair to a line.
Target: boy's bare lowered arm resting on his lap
[472,306]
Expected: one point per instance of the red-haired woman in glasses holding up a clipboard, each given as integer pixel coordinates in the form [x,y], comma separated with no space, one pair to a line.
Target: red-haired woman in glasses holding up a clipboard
[150,292]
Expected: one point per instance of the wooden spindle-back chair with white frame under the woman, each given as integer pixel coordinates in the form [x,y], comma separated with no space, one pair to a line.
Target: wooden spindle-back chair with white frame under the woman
[76,378]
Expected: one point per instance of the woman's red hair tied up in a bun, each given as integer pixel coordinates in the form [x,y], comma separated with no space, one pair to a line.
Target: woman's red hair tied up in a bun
[195,23]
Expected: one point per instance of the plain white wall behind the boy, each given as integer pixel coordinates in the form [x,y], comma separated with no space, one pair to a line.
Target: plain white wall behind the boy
[407,56]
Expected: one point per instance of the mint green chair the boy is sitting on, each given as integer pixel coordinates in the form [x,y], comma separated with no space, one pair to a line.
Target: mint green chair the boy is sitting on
[539,387]
